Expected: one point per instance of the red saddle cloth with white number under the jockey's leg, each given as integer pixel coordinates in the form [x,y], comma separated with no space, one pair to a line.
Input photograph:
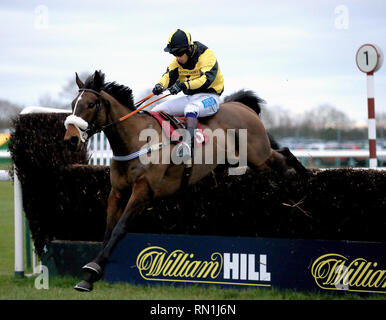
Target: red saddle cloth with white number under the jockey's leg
[170,124]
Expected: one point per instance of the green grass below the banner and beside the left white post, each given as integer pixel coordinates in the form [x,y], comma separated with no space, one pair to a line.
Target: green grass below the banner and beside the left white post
[61,288]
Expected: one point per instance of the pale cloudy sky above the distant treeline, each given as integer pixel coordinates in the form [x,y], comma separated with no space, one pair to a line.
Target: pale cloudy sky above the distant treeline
[295,54]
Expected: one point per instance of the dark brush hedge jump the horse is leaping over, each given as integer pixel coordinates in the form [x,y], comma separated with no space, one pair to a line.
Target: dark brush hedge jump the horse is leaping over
[65,199]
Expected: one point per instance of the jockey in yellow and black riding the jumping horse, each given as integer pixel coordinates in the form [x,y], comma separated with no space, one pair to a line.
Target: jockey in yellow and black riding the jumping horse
[195,72]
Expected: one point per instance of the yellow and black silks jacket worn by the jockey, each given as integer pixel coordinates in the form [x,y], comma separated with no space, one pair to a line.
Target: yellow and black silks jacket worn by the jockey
[200,74]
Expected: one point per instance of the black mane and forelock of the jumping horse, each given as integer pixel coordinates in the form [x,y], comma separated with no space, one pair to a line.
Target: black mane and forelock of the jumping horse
[120,92]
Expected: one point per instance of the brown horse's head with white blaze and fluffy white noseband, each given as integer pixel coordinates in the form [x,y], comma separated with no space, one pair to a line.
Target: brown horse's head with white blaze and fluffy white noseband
[88,114]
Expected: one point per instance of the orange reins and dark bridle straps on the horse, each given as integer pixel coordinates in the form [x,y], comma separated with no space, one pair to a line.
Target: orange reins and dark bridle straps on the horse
[92,130]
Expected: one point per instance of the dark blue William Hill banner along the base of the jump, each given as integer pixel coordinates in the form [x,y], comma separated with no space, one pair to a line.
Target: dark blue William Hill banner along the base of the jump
[250,262]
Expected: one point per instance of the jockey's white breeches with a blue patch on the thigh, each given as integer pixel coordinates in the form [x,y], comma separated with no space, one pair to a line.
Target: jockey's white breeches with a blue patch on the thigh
[202,104]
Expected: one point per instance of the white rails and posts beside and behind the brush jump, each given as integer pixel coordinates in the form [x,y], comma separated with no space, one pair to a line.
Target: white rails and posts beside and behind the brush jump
[101,154]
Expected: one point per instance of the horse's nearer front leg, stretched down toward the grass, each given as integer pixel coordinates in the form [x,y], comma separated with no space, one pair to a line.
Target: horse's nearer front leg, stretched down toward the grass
[139,198]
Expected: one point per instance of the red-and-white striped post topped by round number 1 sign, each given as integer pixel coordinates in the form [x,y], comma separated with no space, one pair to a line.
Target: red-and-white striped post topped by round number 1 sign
[369,59]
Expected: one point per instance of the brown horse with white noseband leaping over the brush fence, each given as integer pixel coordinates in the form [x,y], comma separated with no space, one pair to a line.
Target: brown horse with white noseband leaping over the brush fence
[99,104]
